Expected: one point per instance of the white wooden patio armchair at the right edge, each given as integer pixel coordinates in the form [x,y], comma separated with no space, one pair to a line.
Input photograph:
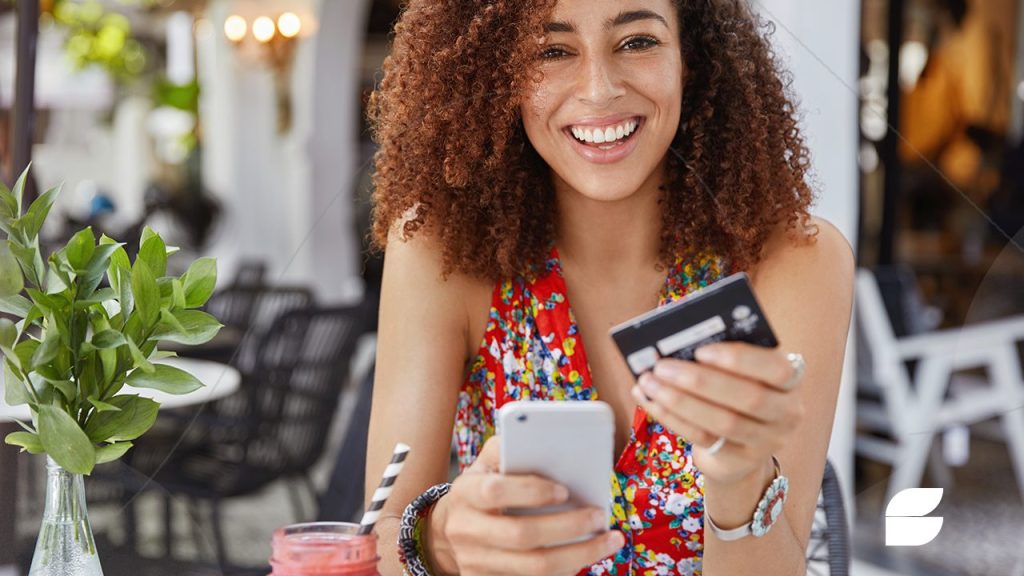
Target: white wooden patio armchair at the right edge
[920,390]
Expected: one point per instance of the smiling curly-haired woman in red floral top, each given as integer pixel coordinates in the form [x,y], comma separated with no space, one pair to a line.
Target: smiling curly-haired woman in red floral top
[616,154]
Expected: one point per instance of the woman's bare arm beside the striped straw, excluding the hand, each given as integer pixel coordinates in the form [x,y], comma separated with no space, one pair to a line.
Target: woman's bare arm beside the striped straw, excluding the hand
[420,355]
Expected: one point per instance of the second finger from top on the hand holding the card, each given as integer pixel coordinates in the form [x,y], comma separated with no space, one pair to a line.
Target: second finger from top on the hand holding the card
[748,397]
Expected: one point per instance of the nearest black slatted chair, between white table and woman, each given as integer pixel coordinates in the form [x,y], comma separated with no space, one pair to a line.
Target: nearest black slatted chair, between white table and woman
[276,427]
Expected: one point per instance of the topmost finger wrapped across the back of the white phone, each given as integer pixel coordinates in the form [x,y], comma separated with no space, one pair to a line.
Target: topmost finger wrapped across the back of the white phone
[495,492]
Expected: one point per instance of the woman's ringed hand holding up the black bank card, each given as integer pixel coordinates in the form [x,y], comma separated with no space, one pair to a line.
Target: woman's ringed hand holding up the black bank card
[746,394]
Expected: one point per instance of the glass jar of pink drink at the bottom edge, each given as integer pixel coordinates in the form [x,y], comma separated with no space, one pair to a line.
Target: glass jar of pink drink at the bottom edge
[324,549]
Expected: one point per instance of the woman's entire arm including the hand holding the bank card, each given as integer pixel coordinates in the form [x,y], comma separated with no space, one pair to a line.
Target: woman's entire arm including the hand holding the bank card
[744,395]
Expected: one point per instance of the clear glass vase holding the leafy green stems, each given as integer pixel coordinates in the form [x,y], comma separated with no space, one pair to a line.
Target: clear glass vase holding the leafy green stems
[66,546]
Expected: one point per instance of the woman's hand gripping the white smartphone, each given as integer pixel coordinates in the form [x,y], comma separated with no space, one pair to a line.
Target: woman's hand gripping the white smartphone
[468,536]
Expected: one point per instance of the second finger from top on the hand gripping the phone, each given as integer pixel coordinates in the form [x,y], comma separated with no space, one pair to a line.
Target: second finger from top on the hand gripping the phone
[528,532]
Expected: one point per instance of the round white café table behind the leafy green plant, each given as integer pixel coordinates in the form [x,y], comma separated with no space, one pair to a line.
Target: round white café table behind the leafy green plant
[220,381]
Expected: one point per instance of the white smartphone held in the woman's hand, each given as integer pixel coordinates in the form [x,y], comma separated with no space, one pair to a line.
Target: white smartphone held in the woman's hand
[570,442]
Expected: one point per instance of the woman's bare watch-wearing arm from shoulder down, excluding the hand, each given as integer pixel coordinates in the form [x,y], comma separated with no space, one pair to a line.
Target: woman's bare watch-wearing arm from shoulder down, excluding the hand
[807,293]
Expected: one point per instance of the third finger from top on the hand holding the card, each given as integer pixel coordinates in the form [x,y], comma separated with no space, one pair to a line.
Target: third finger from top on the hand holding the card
[713,419]
